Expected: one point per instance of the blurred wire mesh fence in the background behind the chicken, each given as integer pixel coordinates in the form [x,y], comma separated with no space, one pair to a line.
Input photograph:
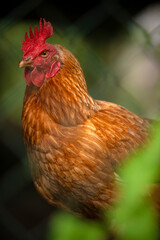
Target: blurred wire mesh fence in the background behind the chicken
[119,50]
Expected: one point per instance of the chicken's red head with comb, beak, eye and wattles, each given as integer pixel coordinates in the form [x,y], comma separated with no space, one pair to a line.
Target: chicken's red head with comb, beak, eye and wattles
[40,59]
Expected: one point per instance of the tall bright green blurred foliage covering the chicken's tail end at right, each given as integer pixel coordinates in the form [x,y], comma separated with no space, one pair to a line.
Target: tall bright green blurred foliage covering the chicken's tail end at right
[134,214]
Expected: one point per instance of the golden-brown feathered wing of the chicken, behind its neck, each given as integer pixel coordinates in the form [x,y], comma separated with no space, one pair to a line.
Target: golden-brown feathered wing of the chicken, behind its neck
[121,130]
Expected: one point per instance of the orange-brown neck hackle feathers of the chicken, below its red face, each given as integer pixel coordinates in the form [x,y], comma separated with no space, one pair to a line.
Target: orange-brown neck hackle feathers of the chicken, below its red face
[66,99]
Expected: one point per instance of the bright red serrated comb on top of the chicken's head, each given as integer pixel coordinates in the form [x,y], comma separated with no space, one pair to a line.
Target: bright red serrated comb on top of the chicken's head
[38,37]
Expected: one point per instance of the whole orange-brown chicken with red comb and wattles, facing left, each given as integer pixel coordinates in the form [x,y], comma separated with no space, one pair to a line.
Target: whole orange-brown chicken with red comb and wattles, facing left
[74,142]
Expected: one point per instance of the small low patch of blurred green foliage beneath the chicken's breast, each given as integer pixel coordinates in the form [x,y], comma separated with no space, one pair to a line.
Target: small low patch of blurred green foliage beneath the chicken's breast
[65,226]
